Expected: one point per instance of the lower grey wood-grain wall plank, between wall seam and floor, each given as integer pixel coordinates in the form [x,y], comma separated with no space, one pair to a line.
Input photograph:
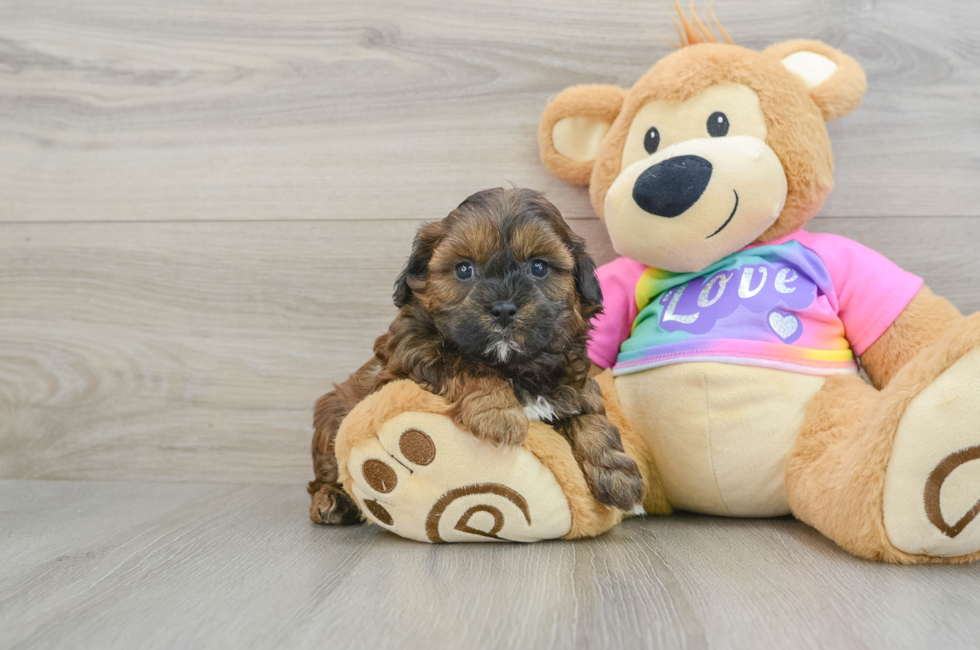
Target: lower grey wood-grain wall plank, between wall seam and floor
[194,351]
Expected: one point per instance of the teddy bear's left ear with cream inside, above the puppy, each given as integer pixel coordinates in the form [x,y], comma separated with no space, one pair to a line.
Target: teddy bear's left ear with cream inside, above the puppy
[572,128]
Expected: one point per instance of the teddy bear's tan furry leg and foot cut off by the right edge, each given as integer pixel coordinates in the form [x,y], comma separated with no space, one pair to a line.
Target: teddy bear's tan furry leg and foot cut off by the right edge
[895,475]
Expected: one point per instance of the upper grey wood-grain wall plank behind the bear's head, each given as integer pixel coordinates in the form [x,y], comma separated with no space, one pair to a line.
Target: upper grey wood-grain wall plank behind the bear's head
[382,109]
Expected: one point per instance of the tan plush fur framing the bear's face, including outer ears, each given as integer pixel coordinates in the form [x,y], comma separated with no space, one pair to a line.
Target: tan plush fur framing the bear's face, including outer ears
[794,117]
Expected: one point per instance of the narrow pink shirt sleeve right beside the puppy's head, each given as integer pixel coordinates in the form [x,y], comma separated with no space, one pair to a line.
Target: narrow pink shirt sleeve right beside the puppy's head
[613,326]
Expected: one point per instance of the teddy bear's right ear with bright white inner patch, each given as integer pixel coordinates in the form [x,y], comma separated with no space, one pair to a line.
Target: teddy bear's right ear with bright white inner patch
[836,81]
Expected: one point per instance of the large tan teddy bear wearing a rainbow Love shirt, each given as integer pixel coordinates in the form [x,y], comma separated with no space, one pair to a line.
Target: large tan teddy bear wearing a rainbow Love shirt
[731,339]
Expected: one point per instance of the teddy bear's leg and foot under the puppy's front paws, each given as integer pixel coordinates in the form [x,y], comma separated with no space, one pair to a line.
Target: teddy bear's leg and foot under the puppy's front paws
[413,472]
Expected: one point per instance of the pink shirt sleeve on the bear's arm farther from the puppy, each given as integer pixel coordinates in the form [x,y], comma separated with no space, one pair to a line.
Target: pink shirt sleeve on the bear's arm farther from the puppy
[871,289]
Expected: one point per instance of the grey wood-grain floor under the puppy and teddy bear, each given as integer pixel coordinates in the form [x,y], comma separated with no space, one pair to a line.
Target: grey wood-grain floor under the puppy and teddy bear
[126,565]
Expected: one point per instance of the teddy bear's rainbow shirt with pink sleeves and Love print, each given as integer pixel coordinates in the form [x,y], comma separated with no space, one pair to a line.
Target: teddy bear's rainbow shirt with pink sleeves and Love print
[806,303]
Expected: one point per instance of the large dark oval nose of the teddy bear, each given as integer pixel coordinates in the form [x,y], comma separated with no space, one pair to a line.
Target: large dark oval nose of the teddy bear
[670,187]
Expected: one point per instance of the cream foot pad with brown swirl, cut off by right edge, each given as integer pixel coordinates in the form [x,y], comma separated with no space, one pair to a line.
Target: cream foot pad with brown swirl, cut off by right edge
[932,486]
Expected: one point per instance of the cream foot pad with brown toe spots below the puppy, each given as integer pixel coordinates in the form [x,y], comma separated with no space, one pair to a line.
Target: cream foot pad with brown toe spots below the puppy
[424,479]
